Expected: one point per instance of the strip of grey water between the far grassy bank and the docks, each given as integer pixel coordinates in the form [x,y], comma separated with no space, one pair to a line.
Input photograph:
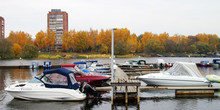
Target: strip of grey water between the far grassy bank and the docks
[106,60]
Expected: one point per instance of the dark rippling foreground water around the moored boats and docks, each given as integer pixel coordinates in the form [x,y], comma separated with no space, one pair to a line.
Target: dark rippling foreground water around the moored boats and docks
[151,100]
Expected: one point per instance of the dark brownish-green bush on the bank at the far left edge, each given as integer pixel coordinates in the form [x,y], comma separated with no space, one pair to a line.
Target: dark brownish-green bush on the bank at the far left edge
[6,51]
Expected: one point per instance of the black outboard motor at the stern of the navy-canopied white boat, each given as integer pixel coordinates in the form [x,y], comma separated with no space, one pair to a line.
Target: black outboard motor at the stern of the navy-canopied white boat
[87,89]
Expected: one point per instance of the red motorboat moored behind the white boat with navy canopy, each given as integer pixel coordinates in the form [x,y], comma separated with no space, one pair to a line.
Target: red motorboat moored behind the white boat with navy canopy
[91,79]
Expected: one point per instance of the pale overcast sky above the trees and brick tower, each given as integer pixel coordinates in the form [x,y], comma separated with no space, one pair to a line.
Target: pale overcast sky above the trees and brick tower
[183,17]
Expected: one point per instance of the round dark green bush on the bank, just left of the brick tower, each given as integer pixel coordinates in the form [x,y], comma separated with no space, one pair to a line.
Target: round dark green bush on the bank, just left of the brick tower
[29,51]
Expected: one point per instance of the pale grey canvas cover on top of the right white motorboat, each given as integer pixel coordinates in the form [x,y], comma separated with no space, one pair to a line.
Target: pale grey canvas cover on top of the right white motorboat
[184,69]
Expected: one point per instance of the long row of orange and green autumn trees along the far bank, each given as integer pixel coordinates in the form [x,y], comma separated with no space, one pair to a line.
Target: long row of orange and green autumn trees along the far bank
[100,42]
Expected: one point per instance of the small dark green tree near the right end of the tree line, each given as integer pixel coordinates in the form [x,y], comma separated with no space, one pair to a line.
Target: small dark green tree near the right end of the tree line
[202,48]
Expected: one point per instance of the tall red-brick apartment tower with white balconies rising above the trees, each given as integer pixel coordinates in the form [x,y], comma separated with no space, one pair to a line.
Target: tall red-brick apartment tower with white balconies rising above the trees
[57,21]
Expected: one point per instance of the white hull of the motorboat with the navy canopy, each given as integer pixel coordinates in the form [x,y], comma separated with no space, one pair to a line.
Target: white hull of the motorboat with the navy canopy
[42,93]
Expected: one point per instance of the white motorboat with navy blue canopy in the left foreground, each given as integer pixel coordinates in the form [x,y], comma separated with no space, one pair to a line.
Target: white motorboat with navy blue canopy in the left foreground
[53,85]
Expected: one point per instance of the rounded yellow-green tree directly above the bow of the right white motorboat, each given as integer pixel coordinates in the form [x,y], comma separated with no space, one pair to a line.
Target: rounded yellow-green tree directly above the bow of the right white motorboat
[153,47]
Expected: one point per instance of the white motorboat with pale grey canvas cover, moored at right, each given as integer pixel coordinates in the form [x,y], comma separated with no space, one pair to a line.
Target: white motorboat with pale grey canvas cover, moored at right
[181,74]
